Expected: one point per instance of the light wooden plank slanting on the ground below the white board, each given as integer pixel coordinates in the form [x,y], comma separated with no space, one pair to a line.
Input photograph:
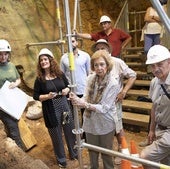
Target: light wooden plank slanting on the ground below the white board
[26,135]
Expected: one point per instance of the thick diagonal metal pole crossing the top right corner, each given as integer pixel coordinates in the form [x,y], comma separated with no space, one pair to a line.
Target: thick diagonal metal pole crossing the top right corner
[164,18]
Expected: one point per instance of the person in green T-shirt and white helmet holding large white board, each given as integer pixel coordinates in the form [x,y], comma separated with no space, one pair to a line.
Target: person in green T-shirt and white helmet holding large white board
[9,72]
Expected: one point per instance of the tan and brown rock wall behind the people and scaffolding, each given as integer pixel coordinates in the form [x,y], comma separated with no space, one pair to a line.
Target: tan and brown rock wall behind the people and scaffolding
[30,21]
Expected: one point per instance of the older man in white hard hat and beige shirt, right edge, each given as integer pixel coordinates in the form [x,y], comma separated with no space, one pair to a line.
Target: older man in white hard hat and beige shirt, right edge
[159,134]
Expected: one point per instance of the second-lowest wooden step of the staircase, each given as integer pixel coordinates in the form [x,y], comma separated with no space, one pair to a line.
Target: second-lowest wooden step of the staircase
[138,105]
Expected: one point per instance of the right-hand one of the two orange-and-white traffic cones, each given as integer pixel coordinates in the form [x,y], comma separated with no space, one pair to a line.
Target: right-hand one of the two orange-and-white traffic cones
[134,153]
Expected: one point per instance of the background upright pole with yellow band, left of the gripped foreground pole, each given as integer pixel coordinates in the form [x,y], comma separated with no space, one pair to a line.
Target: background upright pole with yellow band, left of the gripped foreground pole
[59,24]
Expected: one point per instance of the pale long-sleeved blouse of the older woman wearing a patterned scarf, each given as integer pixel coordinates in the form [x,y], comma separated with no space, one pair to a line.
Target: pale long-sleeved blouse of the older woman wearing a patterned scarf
[102,121]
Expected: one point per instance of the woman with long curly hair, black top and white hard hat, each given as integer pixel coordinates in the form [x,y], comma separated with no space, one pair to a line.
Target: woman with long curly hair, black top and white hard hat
[51,88]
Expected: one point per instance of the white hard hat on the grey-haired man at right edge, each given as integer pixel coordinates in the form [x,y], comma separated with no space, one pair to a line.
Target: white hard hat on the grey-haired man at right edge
[157,53]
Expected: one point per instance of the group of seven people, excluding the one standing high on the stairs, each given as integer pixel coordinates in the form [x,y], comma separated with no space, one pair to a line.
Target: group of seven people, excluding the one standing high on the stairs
[99,93]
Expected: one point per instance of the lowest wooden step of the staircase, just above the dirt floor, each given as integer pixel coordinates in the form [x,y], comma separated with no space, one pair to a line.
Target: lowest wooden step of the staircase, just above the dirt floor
[136,119]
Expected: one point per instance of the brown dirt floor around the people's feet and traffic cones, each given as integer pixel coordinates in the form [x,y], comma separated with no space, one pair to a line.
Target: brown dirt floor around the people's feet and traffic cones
[44,151]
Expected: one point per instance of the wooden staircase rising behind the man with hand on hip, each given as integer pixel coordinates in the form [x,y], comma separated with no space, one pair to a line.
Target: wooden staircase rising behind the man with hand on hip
[136,113]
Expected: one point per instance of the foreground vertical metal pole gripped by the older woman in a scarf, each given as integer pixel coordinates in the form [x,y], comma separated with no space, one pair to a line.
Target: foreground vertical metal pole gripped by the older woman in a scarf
[72,69]
